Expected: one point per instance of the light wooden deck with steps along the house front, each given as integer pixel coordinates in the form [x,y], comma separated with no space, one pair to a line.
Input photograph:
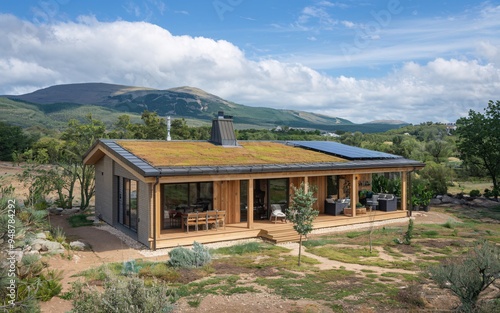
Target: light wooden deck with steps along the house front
[273,232]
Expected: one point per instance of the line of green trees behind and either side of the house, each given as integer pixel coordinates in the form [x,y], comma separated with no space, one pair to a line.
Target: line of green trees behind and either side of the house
[473,148]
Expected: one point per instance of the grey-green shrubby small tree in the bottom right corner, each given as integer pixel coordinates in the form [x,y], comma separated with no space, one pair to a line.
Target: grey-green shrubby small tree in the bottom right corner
[468,276]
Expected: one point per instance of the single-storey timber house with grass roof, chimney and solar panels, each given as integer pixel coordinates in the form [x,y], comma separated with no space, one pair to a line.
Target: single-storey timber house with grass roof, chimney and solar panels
[147,189]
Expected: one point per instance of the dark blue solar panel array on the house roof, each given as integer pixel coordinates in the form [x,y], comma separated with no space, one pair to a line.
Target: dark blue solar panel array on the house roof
[343,151]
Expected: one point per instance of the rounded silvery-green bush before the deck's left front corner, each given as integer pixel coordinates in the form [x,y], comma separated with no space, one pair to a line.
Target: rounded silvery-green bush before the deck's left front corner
[185,258]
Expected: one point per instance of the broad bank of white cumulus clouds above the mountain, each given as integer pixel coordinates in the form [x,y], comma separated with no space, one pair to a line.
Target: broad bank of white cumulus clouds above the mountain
[143,54]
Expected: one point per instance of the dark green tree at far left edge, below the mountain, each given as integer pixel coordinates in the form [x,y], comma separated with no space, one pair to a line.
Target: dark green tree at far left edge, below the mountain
[13,139]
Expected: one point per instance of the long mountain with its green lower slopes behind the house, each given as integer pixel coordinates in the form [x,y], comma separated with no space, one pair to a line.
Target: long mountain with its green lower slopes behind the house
[107,101]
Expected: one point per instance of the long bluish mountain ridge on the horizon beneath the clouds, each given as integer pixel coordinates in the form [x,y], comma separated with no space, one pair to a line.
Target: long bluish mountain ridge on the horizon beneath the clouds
[185,101]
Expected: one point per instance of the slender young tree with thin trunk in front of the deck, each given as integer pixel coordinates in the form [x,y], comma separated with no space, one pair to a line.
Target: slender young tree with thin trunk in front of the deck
[301,212]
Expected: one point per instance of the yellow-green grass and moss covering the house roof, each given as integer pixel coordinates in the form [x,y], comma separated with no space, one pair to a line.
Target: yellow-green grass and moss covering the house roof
[178,153]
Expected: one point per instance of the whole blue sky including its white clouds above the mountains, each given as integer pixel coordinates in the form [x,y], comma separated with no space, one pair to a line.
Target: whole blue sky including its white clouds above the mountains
[407,60]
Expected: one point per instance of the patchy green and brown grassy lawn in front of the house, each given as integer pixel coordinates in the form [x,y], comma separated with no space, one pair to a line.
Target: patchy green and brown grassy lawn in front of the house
[259,267]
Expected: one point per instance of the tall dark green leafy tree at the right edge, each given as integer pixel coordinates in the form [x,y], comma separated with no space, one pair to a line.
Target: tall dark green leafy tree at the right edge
[479,141]
